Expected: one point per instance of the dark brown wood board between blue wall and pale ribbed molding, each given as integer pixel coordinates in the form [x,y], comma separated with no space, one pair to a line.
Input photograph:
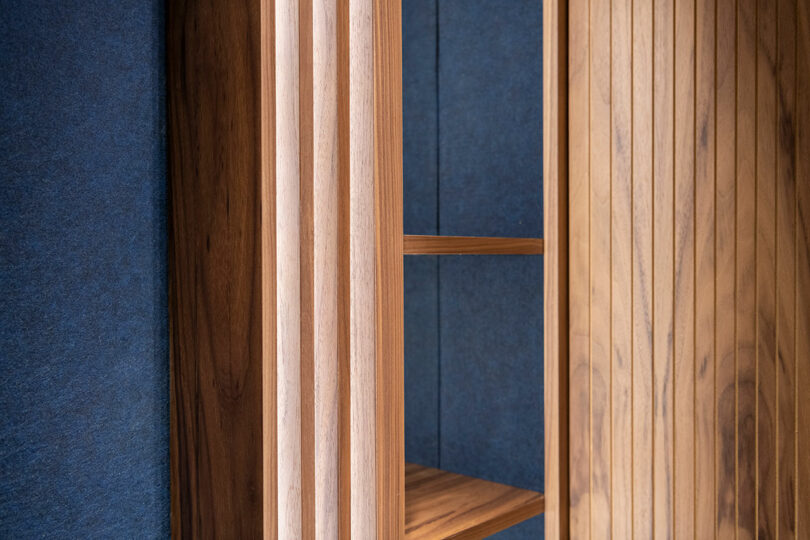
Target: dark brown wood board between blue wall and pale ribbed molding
[216,254]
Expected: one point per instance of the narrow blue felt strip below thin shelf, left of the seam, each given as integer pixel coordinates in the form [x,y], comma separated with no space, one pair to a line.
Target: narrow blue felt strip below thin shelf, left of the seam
[421,360]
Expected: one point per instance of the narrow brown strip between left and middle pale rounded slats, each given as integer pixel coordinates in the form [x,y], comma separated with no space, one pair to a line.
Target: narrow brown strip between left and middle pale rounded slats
[307,269]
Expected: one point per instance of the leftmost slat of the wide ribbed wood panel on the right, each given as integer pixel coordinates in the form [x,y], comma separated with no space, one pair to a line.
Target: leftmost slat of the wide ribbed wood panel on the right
[579,271]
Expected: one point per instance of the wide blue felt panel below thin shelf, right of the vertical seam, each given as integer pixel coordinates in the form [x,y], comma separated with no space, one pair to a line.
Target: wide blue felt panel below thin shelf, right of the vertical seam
[491,329]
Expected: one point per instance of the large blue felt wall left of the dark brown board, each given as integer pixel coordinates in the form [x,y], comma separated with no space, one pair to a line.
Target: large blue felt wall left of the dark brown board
[84,390]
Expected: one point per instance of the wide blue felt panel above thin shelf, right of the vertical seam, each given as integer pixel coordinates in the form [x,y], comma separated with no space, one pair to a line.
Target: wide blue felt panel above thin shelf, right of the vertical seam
[490,117]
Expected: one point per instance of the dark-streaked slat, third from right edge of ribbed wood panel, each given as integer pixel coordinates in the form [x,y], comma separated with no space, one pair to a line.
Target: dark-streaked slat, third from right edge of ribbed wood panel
[766,406]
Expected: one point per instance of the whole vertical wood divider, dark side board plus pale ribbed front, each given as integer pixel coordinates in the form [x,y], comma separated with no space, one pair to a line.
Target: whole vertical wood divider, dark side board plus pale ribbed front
[286,269]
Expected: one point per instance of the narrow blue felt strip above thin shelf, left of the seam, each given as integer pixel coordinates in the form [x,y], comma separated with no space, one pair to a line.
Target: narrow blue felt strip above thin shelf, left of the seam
[420,145]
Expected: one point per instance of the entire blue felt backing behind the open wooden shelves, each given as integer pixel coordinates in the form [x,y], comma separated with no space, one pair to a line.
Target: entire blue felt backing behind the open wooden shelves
[473,324]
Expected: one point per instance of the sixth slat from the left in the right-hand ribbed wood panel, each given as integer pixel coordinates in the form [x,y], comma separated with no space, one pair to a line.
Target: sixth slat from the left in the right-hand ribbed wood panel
[684,336]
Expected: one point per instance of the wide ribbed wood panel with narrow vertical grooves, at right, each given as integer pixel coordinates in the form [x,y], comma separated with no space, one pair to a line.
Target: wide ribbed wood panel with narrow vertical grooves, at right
[689,250]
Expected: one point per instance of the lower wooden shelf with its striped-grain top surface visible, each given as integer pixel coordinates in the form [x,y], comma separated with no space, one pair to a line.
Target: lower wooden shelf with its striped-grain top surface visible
[440,504]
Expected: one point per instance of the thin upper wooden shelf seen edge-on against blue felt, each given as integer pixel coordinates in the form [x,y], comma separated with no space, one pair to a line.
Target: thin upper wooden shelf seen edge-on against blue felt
[471,245]
